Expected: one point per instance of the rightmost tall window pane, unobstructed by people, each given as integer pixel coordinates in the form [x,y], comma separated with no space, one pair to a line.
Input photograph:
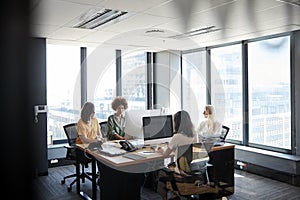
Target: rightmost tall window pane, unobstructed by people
[269,92]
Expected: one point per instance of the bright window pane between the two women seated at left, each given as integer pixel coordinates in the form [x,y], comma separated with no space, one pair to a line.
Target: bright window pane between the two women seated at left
[101,80]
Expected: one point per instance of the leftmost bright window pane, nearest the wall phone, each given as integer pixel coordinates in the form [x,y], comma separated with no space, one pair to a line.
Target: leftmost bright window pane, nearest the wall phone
[63,89]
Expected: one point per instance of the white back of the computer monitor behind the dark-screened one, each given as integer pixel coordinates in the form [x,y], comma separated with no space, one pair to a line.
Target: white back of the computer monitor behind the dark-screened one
[133,122]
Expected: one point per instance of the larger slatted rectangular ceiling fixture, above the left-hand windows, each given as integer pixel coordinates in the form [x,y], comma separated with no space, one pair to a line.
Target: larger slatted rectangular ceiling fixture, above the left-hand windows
[99,18]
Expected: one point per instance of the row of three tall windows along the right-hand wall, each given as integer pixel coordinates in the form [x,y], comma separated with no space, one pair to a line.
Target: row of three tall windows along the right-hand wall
[265,76]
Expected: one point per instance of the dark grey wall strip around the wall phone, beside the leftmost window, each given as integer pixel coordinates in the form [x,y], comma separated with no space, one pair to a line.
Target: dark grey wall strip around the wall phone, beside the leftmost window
[37,96]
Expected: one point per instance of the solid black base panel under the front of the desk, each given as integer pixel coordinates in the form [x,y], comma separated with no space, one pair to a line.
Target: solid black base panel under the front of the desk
[115,184]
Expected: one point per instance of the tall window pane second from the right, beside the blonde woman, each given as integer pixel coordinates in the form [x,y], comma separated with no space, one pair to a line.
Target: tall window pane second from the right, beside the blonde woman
[226,88]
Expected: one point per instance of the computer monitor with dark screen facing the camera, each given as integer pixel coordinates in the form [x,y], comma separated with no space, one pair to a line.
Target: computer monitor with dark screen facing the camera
[157,129]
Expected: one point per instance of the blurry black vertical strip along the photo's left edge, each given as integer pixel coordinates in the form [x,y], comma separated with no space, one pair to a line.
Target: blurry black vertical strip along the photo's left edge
[15,140]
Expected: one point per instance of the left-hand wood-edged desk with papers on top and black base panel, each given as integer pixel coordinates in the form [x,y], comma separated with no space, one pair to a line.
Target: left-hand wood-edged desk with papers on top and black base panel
[121,178]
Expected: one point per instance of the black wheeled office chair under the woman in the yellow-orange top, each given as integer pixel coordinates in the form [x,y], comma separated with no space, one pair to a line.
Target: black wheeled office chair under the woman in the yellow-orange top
[73,154]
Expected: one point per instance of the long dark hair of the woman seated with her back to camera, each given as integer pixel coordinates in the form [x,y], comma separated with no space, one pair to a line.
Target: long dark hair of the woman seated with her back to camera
[183,123]
